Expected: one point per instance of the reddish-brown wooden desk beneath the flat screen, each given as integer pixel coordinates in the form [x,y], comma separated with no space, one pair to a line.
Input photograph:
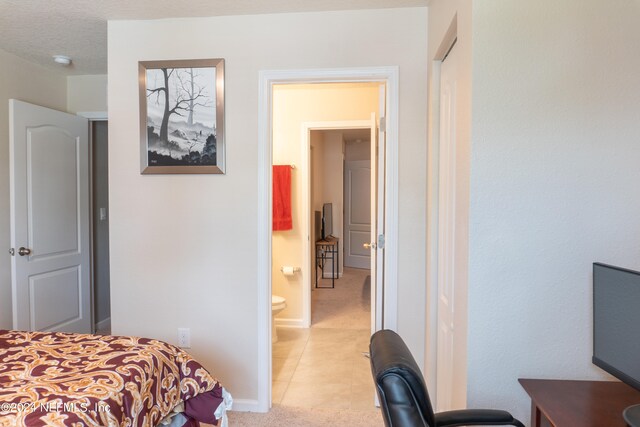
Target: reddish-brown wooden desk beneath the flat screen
[566,403]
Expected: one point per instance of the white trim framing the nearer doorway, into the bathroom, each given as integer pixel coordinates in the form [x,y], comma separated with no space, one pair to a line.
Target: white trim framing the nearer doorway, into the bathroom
[267,79]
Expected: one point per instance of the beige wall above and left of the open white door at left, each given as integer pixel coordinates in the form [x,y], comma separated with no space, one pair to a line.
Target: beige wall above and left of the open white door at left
[21,80]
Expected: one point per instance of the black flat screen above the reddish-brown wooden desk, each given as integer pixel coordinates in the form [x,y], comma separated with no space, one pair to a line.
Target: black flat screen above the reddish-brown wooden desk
[616,322]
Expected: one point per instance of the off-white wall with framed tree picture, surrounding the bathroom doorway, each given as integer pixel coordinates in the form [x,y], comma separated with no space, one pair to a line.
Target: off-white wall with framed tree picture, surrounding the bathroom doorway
[183,248]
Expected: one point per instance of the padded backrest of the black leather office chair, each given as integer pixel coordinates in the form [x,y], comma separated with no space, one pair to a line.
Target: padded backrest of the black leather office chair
[403,395]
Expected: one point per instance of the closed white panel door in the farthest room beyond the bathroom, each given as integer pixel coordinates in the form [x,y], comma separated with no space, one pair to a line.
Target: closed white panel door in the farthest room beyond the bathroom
[357,212]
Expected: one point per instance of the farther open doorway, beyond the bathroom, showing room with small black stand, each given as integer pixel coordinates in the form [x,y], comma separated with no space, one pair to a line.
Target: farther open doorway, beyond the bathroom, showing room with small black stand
[340,189]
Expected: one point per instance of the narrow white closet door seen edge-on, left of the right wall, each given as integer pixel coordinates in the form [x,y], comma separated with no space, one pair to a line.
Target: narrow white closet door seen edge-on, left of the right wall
[446,327]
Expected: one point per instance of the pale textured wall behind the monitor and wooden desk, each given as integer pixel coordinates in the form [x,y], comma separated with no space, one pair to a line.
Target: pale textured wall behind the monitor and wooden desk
[554,185]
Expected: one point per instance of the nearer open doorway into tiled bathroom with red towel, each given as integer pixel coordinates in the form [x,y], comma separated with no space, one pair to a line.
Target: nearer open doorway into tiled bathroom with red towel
[322,332]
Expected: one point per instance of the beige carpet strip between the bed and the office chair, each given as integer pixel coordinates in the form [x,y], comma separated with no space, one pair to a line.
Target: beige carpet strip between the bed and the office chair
[283,416]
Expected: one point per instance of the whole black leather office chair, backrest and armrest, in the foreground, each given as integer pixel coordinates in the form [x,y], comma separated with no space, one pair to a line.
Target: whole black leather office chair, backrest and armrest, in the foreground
[404,399]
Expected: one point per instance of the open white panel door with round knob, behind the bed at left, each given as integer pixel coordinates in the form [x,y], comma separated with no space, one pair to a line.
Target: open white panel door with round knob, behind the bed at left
[49,219]
